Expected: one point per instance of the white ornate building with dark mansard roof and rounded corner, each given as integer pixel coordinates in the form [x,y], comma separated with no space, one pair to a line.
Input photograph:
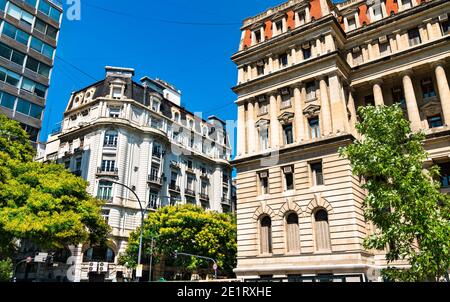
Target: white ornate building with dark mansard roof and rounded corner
[139,135]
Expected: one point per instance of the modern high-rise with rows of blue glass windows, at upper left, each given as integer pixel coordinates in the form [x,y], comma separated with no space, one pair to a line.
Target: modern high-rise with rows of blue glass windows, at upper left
[29,31]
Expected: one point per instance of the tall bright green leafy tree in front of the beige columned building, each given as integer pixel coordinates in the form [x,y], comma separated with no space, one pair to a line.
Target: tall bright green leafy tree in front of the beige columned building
[404,201]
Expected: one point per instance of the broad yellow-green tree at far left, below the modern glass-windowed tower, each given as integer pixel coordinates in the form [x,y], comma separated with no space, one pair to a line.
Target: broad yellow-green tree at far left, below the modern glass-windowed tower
[42,203]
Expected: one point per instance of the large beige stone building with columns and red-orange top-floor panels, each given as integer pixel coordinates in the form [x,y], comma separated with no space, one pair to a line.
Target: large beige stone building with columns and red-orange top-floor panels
[304,67]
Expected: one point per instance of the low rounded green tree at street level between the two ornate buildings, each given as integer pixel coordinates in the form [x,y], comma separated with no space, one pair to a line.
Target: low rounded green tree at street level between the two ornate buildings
[188,229]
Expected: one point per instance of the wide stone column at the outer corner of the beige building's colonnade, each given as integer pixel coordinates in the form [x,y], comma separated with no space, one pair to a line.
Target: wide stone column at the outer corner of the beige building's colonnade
[337,105]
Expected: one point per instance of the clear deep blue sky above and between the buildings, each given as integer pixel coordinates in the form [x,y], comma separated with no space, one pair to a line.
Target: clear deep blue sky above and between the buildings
[193,57]
